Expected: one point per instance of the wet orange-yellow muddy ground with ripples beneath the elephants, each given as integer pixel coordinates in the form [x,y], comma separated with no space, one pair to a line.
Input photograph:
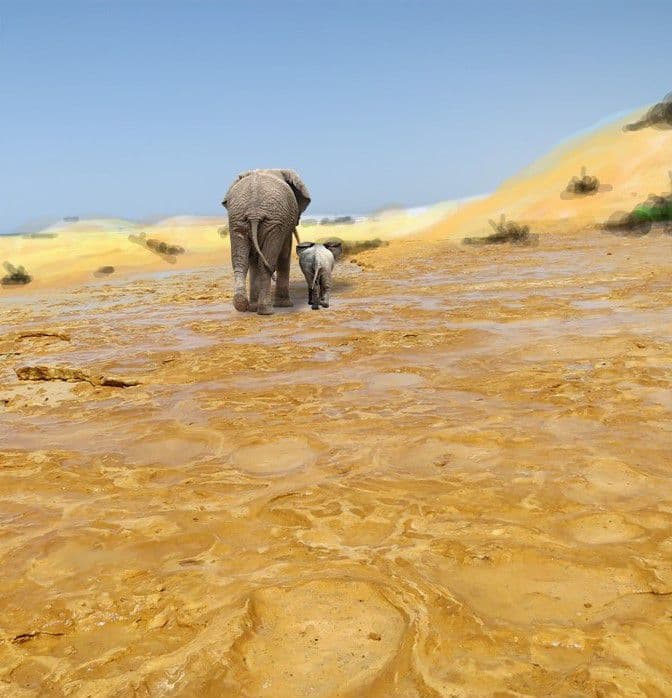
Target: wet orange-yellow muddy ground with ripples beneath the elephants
[455,482]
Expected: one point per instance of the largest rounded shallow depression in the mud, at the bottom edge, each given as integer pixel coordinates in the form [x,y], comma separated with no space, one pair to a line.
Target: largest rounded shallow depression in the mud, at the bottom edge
[333,635]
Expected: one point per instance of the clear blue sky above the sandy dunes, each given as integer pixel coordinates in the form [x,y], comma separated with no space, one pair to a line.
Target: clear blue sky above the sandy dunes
[143,109]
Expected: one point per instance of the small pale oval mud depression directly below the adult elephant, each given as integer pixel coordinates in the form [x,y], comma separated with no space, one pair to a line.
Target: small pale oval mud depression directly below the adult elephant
[277,457]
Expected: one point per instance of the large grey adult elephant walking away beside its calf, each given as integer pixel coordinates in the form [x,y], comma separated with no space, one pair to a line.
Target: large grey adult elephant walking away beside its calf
[264,208]
